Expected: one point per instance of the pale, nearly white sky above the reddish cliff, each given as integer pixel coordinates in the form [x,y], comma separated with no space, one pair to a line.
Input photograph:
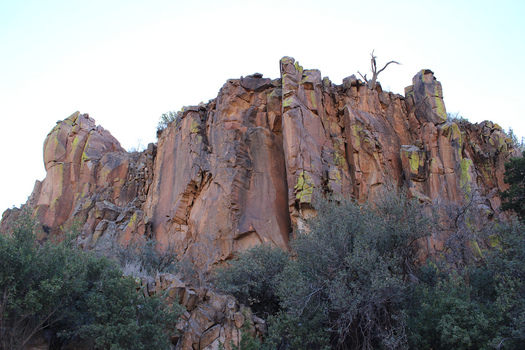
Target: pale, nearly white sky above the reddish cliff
[127,62]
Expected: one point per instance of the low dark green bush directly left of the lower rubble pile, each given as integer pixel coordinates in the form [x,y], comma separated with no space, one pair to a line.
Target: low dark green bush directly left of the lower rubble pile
[121,318]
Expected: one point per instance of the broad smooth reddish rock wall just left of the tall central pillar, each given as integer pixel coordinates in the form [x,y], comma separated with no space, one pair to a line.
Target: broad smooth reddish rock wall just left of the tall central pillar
[227,156]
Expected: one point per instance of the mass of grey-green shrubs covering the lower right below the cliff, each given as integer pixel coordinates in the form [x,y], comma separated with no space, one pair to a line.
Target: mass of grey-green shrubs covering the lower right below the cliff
[353,281]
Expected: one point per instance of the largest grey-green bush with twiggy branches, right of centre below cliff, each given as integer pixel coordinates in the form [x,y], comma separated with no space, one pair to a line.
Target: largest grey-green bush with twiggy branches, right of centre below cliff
[351,269]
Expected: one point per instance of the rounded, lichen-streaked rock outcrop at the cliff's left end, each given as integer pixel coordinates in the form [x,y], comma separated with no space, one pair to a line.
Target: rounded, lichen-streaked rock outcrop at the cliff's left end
[92,181]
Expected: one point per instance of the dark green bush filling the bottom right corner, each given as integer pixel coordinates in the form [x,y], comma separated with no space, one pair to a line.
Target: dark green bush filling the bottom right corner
[475,306]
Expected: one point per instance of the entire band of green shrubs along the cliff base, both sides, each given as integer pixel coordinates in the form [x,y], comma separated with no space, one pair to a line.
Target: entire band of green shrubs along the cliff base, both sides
[353,280]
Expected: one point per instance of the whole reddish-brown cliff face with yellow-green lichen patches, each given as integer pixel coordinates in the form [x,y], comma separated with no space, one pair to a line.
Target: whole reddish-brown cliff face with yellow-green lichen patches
[242,169]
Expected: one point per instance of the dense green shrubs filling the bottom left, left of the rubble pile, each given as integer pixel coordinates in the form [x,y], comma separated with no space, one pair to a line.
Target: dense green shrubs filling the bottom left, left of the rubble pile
[75,296]
